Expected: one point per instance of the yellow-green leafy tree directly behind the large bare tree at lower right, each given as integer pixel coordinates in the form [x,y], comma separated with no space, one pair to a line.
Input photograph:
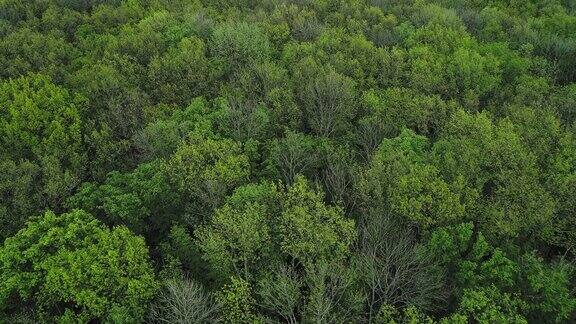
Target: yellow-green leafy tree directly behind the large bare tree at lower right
[402,182]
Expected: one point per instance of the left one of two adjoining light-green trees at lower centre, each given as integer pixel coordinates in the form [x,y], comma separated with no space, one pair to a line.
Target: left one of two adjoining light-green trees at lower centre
[238,239]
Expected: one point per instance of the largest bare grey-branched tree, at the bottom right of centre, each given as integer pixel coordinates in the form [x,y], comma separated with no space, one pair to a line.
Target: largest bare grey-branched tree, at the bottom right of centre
[395,271]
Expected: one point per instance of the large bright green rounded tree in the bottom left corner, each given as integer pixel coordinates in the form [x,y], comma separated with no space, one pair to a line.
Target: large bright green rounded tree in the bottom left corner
[71,267]
